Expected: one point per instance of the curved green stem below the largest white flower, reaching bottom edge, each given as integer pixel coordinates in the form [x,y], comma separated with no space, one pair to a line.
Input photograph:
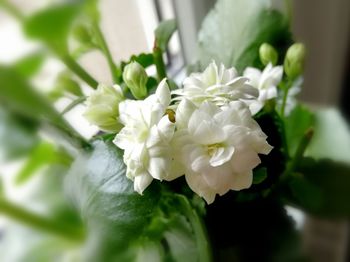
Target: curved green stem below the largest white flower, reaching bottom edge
[204,249]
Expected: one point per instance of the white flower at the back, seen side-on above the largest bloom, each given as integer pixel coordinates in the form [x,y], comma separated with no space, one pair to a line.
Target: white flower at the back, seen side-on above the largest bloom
[217,85]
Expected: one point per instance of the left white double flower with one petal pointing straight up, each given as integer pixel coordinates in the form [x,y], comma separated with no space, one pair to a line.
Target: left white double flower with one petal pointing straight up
[146,137]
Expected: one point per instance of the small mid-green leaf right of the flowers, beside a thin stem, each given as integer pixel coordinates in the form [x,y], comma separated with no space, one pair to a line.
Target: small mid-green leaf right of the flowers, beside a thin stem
[296,124]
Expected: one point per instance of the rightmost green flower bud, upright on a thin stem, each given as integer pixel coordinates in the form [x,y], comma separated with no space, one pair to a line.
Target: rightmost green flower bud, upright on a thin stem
[294,60]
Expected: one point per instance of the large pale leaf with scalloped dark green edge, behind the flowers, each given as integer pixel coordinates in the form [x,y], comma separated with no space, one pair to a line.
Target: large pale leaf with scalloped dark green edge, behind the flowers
[234,30]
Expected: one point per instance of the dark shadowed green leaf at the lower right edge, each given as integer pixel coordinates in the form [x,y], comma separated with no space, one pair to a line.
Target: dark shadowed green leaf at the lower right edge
[321,187]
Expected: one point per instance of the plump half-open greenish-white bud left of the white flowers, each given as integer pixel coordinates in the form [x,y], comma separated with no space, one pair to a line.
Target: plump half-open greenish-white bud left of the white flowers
[103,107]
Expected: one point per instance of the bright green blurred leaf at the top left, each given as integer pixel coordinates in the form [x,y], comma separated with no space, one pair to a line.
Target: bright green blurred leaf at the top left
[52,25]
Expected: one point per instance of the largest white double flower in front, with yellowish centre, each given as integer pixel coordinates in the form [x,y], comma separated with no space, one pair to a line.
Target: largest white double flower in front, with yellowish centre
[218,147]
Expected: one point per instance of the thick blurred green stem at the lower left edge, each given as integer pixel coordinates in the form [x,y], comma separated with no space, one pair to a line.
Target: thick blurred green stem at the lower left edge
[36,221]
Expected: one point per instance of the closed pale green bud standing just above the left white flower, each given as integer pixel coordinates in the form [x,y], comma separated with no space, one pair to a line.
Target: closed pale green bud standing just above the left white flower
[135,77]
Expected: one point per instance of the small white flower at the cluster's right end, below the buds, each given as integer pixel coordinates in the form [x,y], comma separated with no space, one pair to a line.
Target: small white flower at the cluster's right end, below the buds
[266,82]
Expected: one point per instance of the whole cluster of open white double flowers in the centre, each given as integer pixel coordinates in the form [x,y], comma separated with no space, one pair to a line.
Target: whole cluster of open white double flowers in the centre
[206,133]
